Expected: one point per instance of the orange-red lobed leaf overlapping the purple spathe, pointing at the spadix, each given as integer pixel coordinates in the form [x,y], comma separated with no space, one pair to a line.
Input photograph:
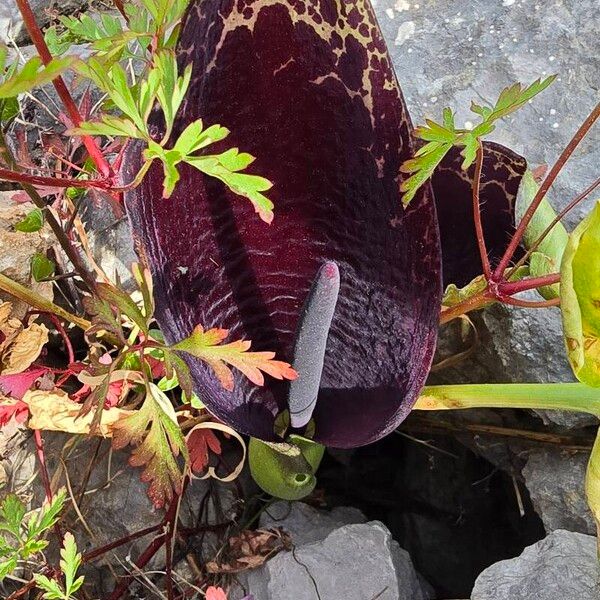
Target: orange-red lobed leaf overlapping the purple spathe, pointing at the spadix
[206,345]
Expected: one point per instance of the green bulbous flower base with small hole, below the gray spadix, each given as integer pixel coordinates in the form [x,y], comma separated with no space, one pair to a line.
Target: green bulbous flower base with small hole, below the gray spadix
[285,470]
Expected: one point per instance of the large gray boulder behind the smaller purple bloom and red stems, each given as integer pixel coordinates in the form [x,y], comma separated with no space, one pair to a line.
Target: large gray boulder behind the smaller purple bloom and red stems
[447,53]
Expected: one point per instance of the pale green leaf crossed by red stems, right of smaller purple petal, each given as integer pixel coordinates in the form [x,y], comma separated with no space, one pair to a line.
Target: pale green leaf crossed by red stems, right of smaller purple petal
[547,257]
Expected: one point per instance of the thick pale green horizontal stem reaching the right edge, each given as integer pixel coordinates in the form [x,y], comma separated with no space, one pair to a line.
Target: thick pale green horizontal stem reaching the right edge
[545,396]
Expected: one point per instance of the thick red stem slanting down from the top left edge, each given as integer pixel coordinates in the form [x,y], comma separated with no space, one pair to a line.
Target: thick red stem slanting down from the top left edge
[61,89]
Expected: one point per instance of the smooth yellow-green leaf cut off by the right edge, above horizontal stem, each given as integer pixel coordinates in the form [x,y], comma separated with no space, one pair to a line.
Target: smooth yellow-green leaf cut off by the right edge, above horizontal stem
[580,298]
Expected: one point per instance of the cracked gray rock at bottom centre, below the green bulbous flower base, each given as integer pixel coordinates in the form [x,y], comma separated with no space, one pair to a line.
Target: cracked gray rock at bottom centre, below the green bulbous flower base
[336,555]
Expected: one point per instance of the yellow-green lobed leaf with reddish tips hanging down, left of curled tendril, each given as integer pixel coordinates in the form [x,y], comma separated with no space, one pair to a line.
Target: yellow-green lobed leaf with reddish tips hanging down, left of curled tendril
[158,442]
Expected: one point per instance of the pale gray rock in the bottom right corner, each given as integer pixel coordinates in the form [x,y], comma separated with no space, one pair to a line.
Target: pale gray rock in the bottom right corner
[562,566]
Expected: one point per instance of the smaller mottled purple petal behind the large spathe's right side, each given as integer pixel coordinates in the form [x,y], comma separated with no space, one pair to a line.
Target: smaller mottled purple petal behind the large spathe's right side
[500,179]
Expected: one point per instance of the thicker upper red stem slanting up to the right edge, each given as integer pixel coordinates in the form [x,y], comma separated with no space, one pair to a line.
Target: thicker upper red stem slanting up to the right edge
[541,193]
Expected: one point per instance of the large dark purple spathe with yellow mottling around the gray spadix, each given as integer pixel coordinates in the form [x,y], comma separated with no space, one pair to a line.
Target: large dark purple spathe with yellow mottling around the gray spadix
[307,87]
